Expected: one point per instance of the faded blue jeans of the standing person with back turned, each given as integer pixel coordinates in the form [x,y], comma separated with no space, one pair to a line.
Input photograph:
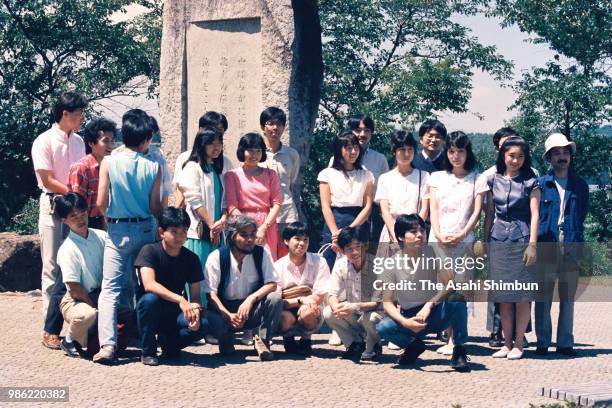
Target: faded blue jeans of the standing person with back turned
[124,241]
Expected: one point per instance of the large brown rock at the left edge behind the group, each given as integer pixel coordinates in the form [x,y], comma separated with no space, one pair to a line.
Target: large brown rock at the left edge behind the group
[20,262]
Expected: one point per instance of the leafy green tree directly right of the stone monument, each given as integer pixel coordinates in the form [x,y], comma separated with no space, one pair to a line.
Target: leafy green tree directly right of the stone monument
[400,61]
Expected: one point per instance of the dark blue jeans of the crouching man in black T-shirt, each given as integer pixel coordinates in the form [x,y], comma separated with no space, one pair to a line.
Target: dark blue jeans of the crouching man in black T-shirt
[155,316]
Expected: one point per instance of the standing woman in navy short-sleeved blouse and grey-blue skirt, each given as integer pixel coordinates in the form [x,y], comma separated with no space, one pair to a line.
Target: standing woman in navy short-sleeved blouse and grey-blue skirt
[511,227]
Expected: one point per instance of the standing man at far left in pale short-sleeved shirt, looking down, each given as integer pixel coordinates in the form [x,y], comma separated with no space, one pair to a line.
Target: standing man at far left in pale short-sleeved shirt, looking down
[53,152]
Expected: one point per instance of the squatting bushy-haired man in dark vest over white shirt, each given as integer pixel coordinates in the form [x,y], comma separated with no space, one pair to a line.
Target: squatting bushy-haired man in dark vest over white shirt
[240,284]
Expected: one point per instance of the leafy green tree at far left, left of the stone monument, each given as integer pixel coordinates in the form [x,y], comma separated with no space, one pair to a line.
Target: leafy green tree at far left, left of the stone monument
[50,46]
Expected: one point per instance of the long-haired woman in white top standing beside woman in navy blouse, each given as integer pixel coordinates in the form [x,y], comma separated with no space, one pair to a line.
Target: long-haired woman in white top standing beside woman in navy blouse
[456,195]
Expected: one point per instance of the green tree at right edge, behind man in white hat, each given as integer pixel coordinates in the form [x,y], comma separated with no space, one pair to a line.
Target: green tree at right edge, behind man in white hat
[572,93]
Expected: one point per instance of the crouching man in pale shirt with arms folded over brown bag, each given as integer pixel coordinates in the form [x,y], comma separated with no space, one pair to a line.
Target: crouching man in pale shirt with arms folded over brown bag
[302,280]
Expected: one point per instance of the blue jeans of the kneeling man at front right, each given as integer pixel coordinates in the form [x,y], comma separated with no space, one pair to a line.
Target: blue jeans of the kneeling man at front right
[442,316]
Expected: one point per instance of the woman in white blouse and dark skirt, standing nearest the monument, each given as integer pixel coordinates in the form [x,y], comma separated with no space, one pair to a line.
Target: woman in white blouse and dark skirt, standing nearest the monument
[346,191]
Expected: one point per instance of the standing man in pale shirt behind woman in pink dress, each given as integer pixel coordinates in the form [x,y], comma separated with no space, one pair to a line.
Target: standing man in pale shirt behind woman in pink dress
[285,161]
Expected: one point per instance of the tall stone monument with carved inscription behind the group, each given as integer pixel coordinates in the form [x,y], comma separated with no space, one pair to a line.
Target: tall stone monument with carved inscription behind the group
[238,57]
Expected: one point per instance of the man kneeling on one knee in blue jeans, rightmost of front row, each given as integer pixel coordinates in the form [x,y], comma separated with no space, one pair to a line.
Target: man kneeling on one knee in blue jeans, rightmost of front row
[407,325]
